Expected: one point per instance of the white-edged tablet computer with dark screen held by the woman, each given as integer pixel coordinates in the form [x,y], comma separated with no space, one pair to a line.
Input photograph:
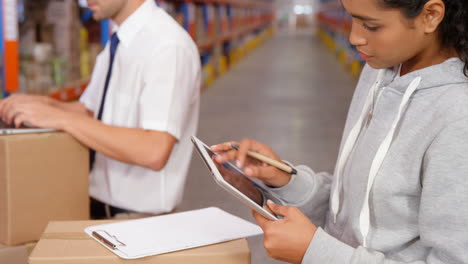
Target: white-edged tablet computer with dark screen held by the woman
[232,179]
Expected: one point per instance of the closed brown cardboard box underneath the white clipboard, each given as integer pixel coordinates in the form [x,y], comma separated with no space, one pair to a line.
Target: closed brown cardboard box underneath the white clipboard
[67,243]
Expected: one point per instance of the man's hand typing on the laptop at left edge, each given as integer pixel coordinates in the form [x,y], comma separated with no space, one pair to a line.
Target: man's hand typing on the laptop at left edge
[36,114]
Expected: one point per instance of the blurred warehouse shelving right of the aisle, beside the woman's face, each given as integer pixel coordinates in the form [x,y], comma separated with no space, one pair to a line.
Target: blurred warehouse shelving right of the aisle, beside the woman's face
[334,27]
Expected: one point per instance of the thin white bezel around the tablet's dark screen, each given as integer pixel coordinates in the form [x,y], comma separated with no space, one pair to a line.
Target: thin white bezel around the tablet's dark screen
[200,147]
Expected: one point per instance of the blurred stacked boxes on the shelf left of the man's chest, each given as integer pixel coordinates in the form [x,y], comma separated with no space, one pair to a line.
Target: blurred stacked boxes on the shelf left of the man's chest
[52,46]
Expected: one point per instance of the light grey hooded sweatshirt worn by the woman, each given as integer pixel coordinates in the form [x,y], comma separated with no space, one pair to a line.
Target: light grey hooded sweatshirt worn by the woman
[399,193]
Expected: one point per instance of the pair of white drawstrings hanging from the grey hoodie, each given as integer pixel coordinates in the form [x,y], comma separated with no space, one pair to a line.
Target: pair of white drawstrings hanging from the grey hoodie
[364,217]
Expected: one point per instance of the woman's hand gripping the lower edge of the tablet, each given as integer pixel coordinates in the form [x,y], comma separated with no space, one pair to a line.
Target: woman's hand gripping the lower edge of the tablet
[286,239]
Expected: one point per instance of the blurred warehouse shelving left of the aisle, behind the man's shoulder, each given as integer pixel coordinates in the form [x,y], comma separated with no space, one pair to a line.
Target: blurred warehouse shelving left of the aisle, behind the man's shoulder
[225,30]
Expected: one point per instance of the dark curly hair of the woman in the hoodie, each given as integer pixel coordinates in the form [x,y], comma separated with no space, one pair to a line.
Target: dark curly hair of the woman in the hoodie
[454,27]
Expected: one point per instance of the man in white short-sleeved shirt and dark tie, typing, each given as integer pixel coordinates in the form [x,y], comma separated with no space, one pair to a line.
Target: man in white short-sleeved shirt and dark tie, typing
[138,112]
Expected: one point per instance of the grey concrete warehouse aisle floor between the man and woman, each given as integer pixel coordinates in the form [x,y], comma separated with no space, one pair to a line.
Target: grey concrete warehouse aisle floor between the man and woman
[290,94]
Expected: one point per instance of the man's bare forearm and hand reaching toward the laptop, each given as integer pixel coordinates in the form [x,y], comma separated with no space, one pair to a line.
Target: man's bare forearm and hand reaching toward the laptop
[147,148]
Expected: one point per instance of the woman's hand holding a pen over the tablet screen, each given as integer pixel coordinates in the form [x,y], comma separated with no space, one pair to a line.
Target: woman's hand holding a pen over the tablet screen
[252,167]
